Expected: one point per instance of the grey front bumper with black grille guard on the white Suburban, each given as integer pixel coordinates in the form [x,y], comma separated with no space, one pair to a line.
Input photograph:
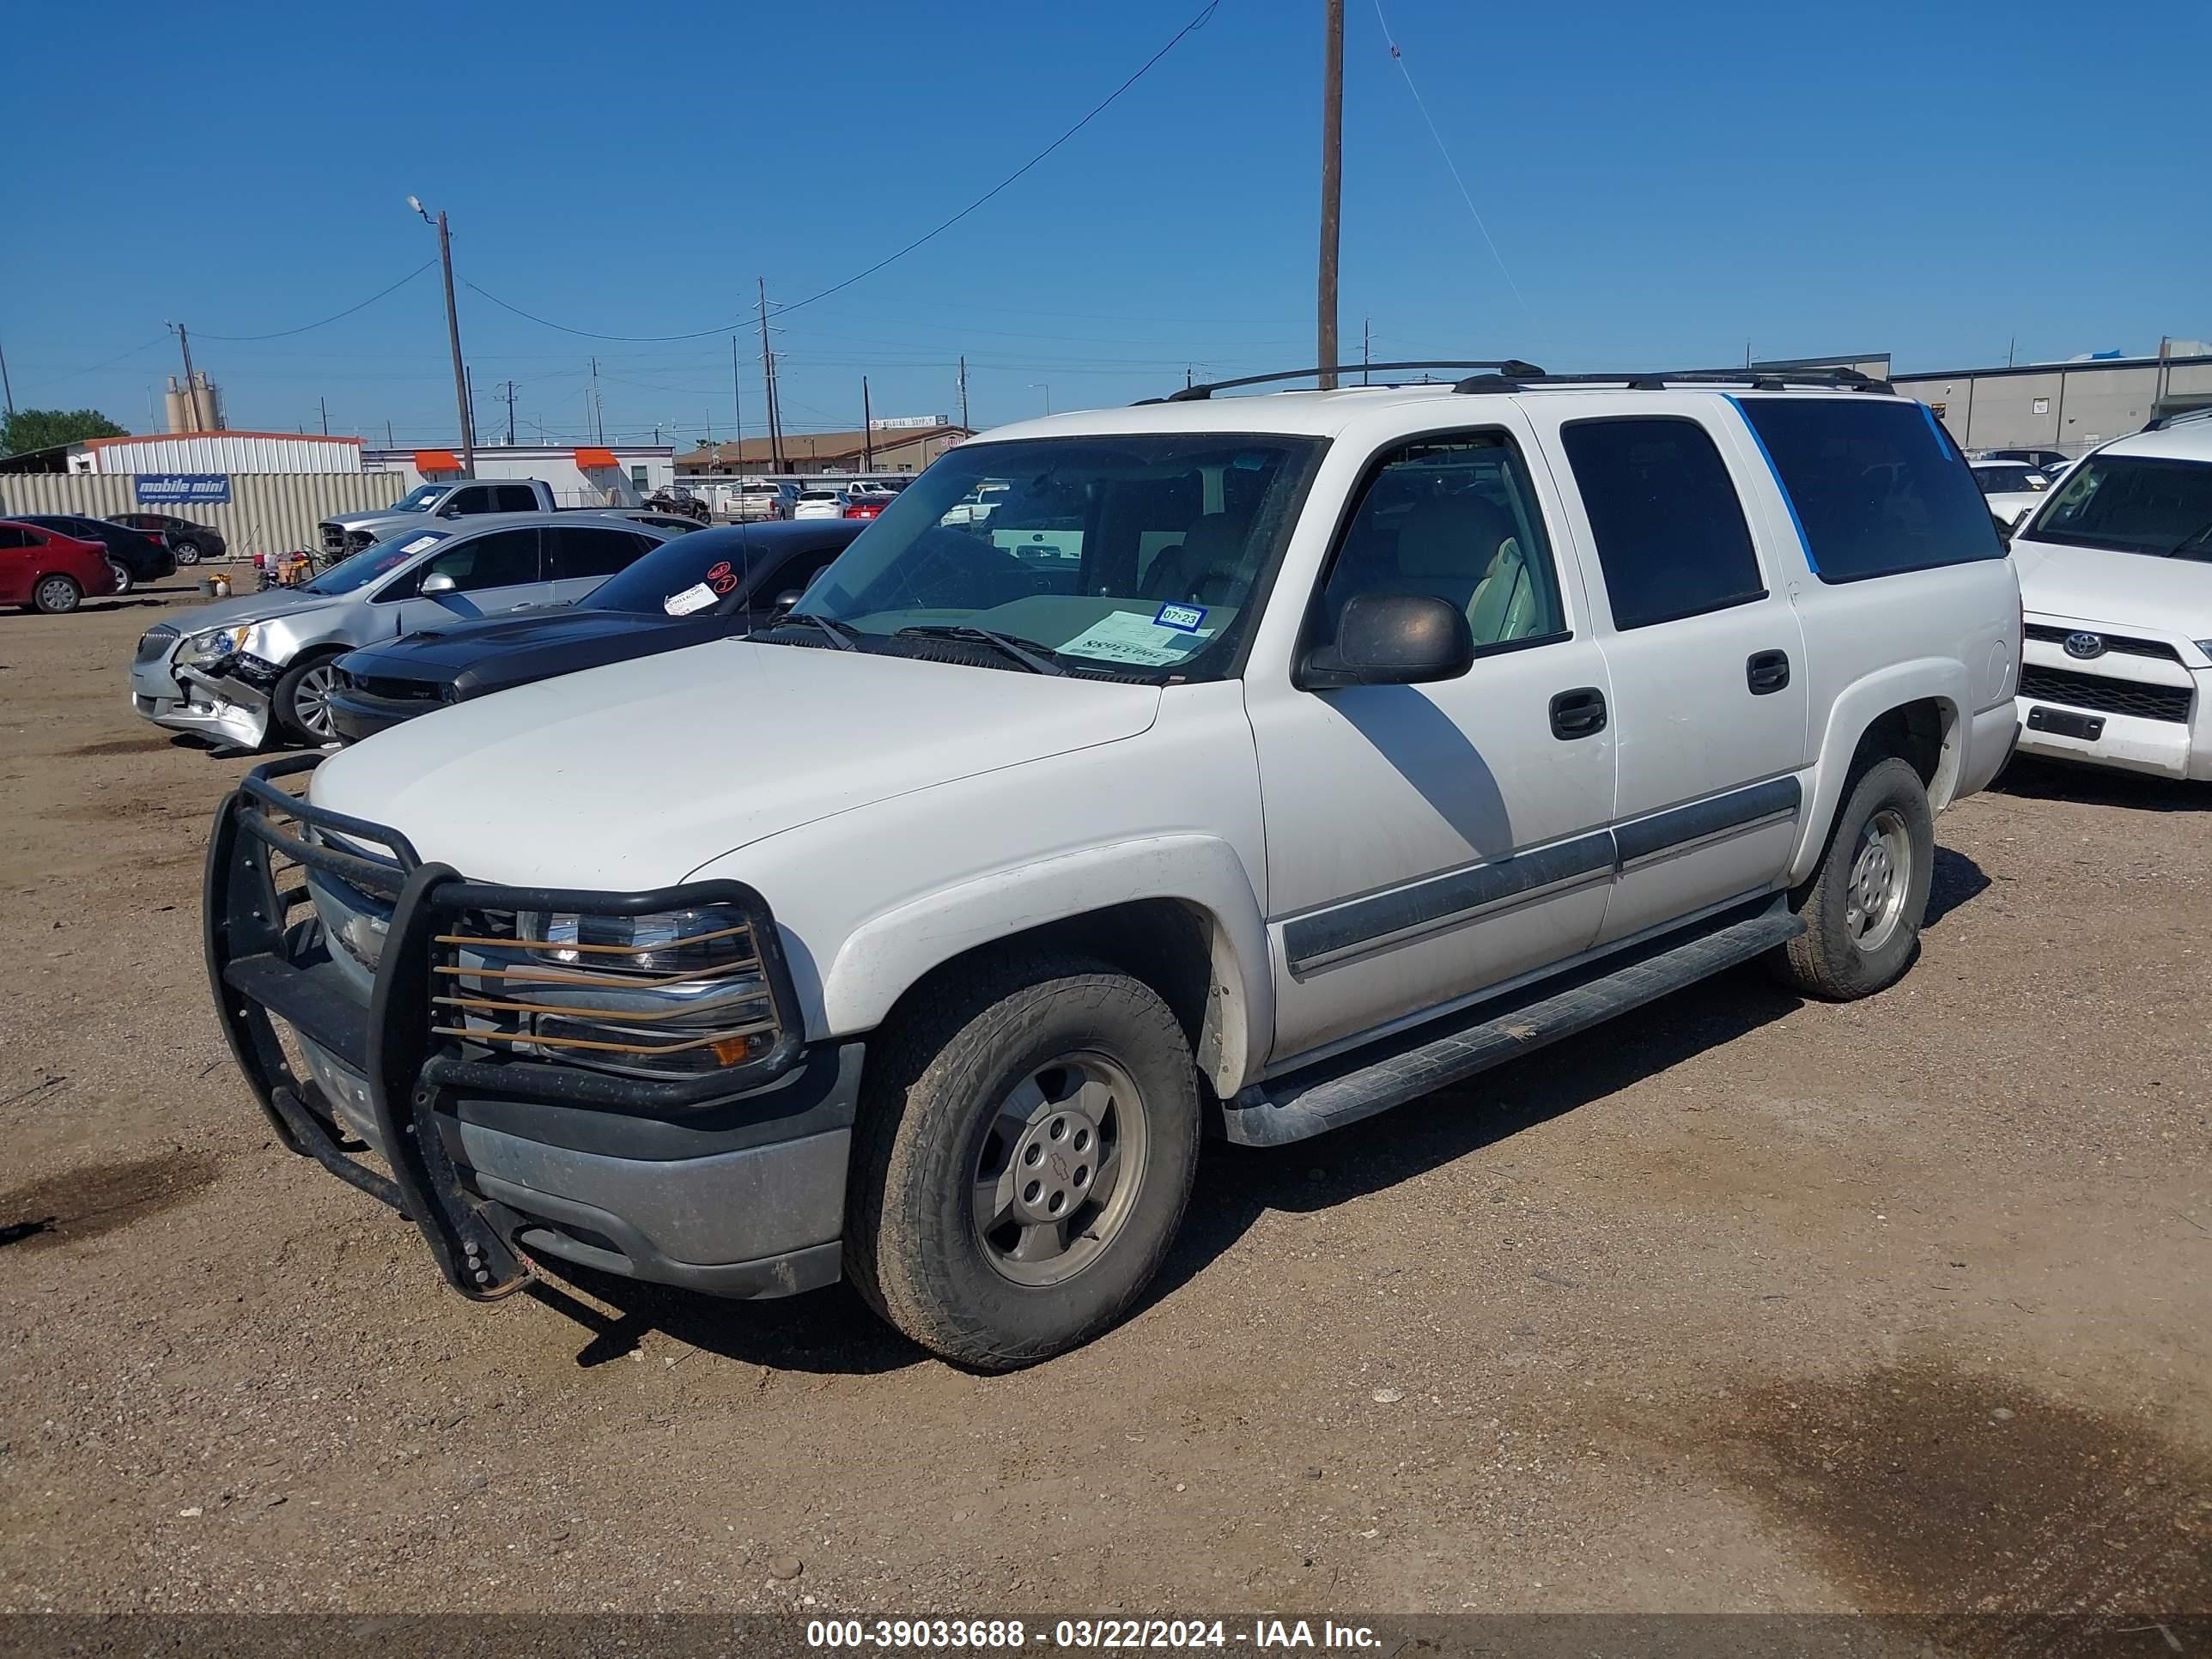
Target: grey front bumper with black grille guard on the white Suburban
[731,1185]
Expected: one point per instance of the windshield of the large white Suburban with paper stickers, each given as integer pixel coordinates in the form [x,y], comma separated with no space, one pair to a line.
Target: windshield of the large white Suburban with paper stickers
[1112,554]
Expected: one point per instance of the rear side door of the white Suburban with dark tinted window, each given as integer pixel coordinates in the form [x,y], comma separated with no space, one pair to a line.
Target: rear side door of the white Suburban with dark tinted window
[1702,647]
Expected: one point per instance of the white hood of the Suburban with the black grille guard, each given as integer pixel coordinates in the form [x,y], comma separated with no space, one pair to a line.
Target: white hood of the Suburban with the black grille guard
[638,773]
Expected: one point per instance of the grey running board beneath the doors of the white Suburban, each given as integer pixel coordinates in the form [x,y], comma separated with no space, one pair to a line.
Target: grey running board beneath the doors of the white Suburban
[1381,1076]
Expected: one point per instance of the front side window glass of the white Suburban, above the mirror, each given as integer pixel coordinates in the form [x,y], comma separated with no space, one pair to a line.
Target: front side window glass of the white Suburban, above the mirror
[1457,521]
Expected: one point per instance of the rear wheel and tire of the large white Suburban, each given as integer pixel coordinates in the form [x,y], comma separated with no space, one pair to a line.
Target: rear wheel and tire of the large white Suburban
[1870,895]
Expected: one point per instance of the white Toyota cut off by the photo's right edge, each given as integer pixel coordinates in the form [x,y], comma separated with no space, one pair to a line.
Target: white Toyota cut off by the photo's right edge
[2116,574]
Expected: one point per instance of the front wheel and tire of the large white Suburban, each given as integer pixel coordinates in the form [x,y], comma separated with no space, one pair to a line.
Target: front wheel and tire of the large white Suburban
[1023,1160]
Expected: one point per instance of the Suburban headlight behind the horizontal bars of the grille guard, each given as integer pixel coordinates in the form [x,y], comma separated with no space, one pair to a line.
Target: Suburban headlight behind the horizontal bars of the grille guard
[676,994]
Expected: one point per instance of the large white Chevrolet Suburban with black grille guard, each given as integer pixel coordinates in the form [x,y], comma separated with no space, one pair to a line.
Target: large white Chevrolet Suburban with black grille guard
[1260,764]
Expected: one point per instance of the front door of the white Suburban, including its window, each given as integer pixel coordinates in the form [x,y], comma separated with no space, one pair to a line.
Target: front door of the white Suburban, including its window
[1432,842]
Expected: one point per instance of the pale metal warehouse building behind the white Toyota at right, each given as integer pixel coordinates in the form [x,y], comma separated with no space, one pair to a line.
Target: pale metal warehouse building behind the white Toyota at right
[2060,406]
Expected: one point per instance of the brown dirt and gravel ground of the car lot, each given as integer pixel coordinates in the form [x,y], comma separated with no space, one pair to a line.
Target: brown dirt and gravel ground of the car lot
[1742,1304]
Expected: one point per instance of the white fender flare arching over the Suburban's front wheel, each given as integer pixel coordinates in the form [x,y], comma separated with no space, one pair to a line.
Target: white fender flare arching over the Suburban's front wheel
[884,957]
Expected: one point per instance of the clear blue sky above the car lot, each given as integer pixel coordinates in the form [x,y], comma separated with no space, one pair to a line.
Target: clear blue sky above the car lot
[1665,185]
